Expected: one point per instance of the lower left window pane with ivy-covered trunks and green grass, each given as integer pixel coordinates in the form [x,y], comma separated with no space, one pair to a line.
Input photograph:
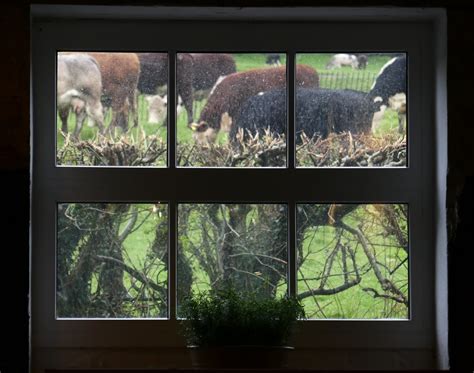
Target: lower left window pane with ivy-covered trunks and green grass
[112,260]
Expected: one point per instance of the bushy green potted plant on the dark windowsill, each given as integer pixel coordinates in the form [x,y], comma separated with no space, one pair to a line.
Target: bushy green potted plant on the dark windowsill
[235,329]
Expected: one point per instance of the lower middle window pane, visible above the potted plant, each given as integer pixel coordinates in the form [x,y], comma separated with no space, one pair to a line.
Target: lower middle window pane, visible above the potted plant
[242,243]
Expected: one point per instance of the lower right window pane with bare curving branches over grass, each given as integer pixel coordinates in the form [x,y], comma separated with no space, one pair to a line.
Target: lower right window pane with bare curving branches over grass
[353,260]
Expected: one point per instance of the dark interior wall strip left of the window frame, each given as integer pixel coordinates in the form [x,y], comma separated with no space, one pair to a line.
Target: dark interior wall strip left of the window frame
[14,171]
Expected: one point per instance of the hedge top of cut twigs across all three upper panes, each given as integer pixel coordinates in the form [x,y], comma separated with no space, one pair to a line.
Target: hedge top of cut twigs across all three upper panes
[251,150]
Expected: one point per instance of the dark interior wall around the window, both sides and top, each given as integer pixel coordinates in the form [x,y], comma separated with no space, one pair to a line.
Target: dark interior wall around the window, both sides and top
[15,180]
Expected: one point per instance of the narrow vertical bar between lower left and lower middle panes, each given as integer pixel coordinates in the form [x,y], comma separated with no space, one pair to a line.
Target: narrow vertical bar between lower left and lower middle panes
[172,258]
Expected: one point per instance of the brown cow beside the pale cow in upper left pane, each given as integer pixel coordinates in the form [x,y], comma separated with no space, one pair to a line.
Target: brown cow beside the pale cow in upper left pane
[120,73]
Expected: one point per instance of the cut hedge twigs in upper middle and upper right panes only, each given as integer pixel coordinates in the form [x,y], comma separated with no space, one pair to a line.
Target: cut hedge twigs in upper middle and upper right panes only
[269,150]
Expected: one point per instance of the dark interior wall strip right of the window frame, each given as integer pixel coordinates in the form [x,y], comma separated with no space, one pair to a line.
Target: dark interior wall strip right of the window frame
[460,188]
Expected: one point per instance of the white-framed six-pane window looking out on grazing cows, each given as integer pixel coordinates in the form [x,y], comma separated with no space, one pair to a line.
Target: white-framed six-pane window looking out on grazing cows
[147,216]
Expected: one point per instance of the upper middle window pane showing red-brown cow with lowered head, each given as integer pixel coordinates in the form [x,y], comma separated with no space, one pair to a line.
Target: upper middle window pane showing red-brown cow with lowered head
[237,114]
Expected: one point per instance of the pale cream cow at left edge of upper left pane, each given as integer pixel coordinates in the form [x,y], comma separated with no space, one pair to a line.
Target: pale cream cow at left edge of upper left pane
[79,87]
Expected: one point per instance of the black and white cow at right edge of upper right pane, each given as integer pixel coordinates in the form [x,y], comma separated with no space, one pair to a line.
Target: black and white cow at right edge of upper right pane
[390,87]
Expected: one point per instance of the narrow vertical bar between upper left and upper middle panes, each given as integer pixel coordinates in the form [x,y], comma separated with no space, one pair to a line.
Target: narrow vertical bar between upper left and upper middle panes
[172,119]
